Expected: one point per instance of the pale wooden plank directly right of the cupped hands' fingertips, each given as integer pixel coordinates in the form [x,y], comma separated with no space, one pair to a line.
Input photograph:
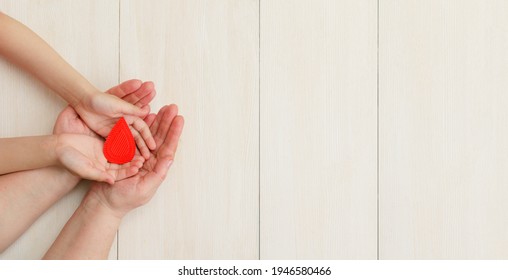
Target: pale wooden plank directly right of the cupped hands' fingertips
[203,56]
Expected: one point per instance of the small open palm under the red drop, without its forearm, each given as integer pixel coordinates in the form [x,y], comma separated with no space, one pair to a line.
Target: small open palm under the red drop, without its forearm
[83,156]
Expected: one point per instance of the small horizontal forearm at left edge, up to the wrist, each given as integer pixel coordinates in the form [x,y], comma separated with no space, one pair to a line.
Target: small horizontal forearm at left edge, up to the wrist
[26,153]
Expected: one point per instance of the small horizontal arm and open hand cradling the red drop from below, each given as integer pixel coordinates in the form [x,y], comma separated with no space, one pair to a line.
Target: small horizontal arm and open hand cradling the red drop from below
[81,154]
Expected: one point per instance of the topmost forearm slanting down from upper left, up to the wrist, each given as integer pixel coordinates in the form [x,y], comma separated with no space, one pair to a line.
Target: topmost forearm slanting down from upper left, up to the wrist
[28,51]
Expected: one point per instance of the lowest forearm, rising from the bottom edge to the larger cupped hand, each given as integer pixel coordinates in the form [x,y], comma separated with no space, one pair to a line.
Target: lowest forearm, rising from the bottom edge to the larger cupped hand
[88,234]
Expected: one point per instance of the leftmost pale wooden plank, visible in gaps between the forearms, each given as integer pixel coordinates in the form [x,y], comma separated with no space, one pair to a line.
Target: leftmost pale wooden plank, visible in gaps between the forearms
[85,33]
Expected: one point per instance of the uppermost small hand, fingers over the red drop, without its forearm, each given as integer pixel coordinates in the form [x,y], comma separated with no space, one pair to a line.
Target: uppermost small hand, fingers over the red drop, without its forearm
[101,111]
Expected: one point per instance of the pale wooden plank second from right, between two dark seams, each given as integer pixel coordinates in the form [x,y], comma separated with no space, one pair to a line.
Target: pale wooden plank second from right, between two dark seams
[318,129]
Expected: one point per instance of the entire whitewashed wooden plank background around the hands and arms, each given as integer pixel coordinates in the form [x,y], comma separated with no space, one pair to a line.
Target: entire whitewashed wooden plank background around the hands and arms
[328,129]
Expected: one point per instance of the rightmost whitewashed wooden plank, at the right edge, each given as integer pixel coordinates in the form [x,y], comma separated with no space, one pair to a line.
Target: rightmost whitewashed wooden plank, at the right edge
[443,129]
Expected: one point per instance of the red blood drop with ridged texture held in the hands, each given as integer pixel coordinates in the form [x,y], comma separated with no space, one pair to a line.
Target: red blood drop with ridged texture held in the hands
[120,146]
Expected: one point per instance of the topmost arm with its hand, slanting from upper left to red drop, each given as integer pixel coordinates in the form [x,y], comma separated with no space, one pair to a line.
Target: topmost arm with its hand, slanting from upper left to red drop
[100,111]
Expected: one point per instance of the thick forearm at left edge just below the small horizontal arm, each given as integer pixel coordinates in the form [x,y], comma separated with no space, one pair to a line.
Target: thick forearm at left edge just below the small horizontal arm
[24,196]
